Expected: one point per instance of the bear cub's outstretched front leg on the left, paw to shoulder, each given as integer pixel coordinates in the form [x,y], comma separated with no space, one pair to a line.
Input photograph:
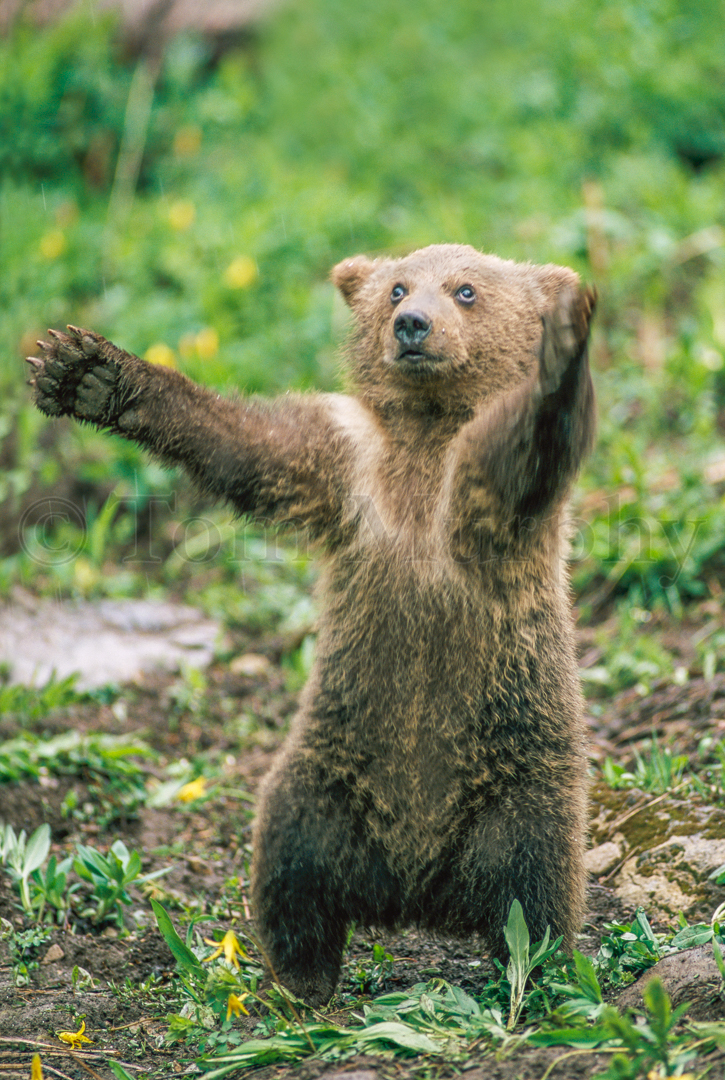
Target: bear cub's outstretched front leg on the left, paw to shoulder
[283,462]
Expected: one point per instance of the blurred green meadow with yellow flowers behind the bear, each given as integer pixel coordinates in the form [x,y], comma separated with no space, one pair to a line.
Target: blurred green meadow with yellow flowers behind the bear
[193,213]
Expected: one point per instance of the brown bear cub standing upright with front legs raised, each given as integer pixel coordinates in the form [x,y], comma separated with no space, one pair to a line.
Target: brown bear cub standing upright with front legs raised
[436,769]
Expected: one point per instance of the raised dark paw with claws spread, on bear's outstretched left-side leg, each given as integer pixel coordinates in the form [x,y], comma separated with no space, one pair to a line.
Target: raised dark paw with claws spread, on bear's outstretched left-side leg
[85,376]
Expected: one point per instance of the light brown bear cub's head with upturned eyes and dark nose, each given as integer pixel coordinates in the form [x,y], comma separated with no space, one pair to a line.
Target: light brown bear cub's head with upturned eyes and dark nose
[446,327]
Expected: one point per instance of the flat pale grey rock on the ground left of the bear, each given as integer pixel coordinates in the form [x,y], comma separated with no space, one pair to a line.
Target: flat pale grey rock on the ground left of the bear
[108,642]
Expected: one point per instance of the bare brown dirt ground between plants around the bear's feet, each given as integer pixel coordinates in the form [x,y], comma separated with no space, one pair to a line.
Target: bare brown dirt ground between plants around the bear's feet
[208,847]
